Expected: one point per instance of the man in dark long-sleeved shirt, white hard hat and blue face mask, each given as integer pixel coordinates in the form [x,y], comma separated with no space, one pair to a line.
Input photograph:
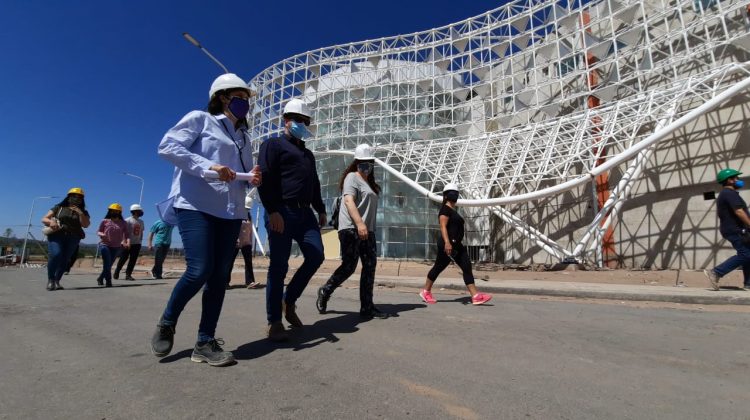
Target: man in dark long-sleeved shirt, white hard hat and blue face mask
[290,186]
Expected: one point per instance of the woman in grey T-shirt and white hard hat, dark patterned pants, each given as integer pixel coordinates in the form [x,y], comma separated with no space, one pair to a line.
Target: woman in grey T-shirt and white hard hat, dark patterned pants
[357,232]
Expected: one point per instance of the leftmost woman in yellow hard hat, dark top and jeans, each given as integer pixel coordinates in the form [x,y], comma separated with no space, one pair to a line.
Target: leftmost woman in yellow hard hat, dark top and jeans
[67,220]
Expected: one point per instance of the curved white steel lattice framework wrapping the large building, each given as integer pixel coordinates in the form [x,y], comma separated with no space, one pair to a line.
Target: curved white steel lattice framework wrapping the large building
[527,101]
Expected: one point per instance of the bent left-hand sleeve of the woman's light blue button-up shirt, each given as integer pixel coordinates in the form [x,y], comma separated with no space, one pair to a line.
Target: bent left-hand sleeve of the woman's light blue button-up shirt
[175,146]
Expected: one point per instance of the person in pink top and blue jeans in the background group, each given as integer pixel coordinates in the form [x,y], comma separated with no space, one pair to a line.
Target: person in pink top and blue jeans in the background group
[113,235]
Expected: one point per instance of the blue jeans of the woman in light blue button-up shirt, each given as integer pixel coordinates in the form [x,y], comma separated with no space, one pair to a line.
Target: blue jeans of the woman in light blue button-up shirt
[209,244]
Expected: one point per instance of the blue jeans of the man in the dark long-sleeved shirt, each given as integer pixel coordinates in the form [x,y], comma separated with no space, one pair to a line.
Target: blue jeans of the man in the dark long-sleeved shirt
[299,225]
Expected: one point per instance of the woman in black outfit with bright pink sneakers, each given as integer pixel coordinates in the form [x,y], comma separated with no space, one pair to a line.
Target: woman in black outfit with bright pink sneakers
[450,249]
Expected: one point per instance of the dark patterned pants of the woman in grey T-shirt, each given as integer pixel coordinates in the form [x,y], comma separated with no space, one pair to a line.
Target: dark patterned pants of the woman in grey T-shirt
[352,250]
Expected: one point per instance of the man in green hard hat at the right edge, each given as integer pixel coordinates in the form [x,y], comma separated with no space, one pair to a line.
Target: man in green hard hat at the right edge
[734,221]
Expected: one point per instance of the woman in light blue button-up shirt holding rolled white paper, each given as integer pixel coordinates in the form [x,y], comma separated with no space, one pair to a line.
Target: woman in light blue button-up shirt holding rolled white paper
[207,211]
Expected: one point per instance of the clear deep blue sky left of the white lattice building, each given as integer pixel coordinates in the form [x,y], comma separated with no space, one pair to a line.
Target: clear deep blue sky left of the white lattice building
[89,88]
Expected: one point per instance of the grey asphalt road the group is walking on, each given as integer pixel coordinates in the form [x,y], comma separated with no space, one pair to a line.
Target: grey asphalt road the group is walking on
[83,353]
